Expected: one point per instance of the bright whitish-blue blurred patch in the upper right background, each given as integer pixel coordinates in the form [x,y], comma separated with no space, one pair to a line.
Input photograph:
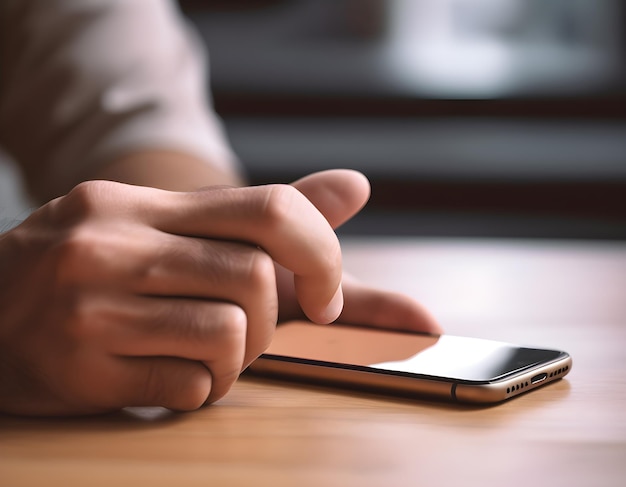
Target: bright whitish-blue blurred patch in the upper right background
[494,48]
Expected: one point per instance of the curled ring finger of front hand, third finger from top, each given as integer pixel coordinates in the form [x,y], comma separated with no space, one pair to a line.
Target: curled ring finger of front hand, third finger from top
[213,333]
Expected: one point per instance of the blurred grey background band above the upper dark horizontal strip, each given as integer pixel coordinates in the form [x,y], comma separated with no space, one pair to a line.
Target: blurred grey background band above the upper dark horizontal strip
[429,48]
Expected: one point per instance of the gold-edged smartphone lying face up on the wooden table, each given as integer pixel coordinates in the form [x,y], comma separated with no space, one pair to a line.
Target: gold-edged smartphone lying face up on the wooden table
[460,369]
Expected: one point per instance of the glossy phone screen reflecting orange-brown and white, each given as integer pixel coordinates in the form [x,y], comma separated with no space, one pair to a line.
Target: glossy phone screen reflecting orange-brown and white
[450,357]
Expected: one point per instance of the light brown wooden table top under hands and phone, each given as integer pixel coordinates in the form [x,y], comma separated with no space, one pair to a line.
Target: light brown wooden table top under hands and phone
[569,295]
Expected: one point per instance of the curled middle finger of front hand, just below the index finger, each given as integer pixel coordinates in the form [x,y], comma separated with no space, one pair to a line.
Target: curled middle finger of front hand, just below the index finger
[220,271]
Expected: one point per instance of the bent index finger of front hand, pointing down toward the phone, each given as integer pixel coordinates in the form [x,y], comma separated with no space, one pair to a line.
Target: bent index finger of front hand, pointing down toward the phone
[277,218]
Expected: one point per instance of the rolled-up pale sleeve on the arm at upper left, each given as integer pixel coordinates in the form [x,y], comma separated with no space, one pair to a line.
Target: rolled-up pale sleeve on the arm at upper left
[84,81]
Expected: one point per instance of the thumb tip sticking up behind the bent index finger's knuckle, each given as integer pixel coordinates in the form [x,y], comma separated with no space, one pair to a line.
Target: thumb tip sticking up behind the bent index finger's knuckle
[338,194]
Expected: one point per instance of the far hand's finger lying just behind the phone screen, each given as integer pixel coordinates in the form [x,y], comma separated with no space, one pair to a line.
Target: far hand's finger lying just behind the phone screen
[372,307]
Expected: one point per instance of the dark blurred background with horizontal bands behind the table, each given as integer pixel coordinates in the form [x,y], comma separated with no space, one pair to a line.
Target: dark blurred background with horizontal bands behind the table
[502,118]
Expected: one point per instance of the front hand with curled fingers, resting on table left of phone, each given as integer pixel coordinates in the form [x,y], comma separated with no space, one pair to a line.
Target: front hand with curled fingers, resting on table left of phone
[116,295]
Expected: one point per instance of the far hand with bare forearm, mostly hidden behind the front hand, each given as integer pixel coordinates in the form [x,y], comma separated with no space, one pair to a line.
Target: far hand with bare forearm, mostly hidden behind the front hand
[338,195]
